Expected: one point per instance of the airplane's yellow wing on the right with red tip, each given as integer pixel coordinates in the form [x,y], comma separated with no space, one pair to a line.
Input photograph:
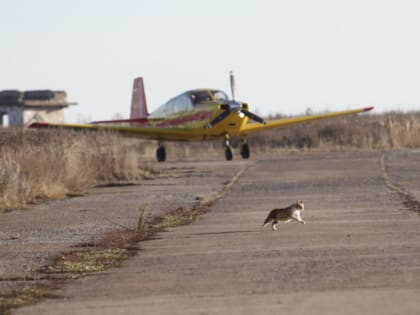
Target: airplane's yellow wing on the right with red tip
[281,123]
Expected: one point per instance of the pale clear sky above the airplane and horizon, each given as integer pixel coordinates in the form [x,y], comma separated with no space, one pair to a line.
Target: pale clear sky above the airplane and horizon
[288,56]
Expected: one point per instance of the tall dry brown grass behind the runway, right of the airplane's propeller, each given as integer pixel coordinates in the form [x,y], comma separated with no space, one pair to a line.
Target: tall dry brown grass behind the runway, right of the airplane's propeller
[362,132]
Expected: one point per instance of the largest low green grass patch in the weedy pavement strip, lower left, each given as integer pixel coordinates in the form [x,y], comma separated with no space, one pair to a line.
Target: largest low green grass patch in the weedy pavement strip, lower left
[94,260]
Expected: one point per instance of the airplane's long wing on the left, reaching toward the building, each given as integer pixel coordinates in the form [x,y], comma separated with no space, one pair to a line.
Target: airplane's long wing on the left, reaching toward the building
[153,133]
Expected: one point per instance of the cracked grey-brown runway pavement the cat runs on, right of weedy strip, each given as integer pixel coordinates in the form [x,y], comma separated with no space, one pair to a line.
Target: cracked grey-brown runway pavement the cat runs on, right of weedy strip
[358,253]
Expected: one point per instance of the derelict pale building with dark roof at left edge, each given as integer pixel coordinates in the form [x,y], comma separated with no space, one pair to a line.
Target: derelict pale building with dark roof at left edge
[20,109]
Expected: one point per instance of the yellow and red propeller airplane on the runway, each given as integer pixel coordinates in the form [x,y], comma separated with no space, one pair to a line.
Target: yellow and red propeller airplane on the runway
[195,115]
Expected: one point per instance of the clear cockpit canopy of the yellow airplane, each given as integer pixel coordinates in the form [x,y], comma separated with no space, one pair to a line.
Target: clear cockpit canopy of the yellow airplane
[186,101]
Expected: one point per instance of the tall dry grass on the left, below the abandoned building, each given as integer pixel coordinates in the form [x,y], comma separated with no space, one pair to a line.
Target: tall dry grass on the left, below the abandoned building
[42,164]
